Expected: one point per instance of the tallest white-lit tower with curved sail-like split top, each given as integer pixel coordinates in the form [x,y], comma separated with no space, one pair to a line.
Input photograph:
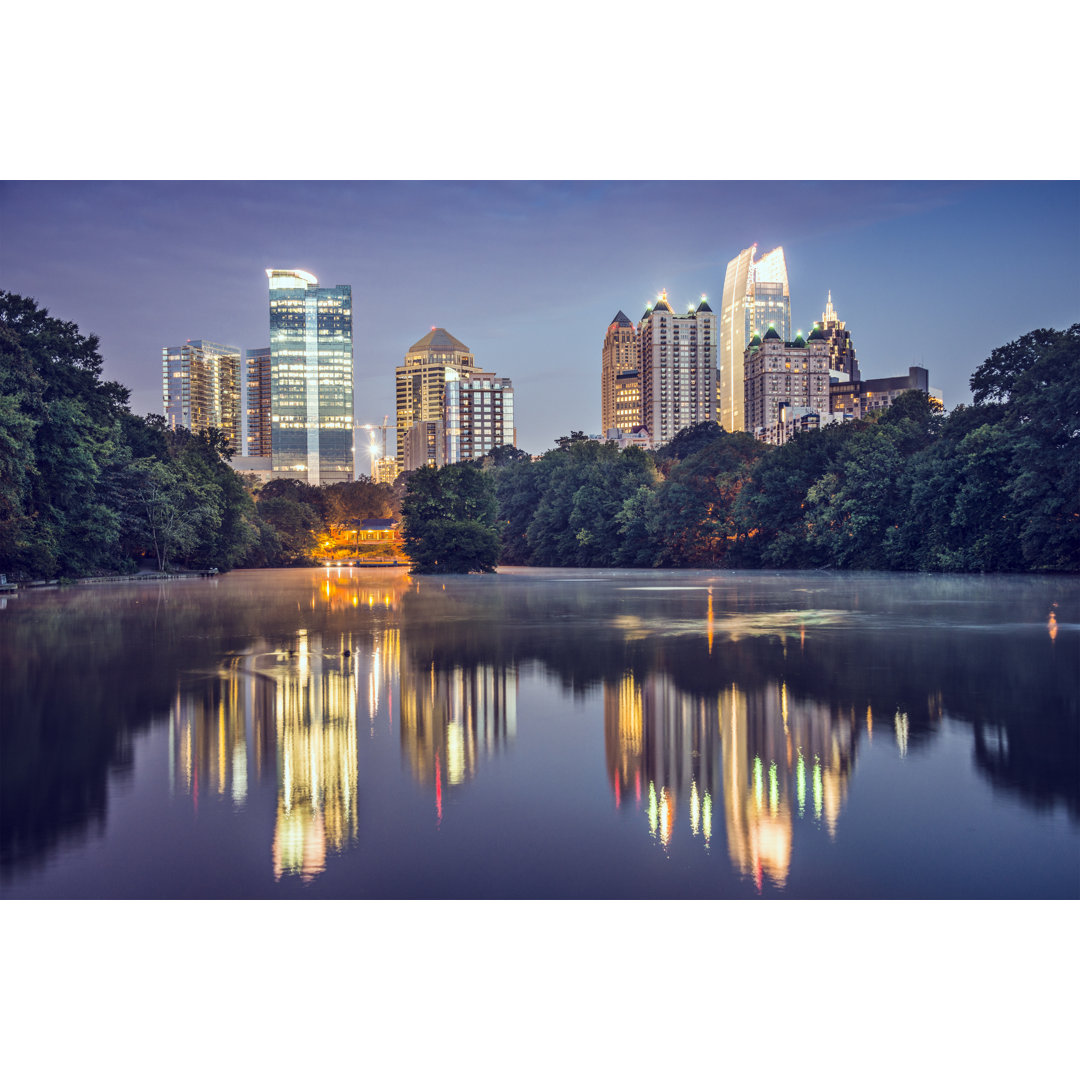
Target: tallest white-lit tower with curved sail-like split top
[755,298]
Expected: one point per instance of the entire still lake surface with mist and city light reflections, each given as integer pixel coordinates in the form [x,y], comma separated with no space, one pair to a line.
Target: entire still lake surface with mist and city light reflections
[543,734]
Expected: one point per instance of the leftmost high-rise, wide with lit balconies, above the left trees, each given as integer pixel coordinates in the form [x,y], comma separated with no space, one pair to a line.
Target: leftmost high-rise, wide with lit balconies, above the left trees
[201,388]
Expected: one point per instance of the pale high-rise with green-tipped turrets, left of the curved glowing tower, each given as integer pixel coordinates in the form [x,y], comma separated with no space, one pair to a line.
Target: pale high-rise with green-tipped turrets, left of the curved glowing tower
[679,369]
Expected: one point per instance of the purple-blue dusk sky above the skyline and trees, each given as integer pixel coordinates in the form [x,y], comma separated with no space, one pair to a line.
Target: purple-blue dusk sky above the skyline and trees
[530,275]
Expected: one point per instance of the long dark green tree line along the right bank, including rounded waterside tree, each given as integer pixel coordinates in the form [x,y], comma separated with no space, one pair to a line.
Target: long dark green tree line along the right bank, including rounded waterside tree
[992,487]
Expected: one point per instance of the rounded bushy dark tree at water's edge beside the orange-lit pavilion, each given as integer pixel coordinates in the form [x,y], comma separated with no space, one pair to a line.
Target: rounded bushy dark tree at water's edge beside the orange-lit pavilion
[451,520]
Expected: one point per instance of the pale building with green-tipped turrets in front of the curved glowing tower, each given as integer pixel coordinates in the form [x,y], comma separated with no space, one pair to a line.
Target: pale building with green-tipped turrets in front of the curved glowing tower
[779,373]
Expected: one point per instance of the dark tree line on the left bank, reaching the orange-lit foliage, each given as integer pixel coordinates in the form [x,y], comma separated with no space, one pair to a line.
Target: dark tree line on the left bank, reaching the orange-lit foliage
[88,488]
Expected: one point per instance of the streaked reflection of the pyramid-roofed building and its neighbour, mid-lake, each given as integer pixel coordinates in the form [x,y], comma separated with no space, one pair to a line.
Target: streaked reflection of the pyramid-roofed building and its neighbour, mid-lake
[453,717]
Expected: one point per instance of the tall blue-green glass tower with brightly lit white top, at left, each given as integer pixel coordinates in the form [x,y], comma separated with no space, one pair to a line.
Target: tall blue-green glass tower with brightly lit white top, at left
[312,417]
